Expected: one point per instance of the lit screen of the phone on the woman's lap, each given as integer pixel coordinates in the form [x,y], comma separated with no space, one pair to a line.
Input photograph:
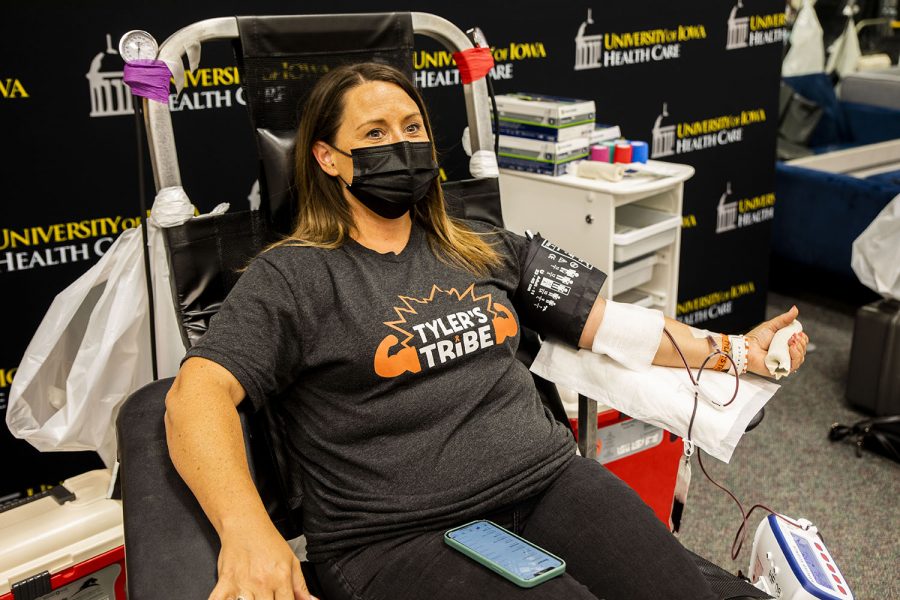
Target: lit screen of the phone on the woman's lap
[508,551]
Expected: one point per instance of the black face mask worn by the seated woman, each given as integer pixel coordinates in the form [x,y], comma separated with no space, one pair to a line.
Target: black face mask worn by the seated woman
[390,179]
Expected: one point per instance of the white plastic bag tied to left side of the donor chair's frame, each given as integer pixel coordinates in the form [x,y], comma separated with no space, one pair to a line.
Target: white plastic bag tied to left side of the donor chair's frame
[92,348]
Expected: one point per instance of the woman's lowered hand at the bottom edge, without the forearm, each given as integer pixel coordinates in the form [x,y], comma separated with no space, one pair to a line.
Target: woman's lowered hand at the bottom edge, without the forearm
[256,563]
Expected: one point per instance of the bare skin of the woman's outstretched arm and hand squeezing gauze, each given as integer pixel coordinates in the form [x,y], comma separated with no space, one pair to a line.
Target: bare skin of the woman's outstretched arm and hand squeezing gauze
[697,349]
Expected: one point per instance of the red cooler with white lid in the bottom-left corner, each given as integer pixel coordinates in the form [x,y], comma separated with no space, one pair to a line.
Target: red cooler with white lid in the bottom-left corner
[65,545]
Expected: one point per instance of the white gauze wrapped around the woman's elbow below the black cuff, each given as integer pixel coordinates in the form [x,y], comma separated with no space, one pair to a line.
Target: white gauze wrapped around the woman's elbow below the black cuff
[629,334]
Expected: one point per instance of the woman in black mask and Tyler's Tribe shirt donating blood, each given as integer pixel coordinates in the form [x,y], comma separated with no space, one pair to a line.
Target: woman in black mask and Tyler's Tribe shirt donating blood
[383,335]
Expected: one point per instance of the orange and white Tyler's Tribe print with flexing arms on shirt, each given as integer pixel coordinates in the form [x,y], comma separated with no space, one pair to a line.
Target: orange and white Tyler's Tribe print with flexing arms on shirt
[440,328]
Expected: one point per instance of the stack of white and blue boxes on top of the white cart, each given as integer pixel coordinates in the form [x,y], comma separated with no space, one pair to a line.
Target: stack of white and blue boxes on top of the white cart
[544,134]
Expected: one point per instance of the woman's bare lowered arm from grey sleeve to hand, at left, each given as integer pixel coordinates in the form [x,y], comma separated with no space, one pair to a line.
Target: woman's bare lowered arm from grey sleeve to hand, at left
[206,444]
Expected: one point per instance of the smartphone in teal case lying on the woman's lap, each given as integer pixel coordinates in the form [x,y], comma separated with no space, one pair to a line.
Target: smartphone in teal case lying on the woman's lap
[505,553]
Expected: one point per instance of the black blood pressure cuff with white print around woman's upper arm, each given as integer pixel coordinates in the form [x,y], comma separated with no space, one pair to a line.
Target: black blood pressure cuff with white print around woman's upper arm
[556,290]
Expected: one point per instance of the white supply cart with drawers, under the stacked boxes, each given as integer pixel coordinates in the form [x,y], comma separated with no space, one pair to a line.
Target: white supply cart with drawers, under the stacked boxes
[629,229]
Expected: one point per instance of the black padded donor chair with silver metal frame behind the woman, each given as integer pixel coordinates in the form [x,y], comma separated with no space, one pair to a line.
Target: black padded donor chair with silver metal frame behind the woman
[171,548]
